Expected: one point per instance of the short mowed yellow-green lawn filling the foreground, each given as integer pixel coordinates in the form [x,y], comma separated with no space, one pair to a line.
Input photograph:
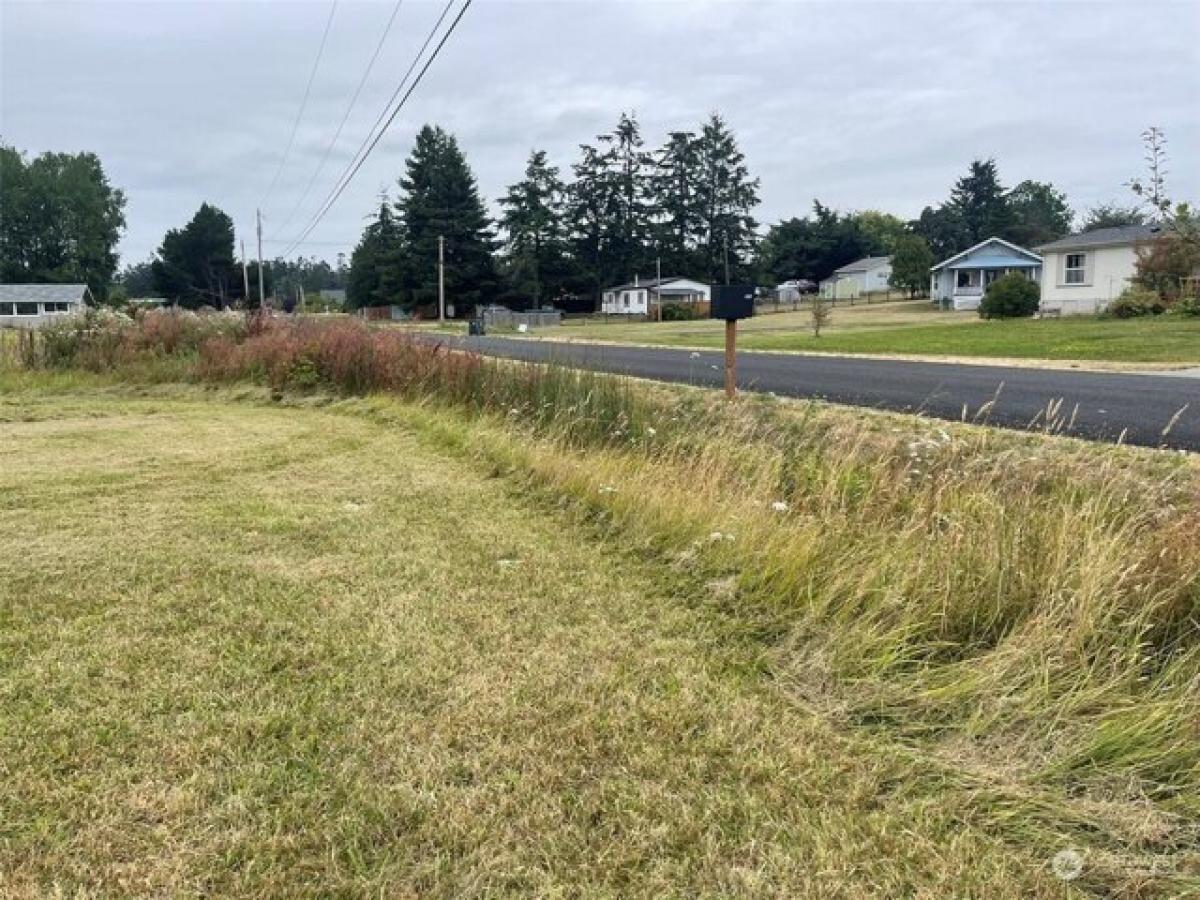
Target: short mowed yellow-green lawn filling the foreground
[257,651]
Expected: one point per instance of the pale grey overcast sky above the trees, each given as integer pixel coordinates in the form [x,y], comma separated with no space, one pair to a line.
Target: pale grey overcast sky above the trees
[862,105]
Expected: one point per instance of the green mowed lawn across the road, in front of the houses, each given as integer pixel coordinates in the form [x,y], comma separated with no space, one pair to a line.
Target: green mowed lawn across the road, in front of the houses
[919,329]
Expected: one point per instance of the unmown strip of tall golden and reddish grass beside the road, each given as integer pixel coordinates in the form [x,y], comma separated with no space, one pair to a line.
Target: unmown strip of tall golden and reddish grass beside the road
[1025,608]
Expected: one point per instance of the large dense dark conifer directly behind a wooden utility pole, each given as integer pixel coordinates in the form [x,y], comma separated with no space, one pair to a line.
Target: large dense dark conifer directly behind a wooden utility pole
[441,199]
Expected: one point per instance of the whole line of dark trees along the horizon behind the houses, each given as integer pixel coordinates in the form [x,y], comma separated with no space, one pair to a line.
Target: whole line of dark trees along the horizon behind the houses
[623,209]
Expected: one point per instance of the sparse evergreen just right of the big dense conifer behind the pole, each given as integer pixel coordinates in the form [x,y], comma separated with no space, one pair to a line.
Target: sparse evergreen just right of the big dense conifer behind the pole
[535,229]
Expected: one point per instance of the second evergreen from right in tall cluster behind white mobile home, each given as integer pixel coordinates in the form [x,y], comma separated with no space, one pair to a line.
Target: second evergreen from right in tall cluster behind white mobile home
[675,189]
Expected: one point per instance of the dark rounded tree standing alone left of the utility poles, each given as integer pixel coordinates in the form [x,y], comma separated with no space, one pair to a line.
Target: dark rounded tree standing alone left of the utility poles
[196,266]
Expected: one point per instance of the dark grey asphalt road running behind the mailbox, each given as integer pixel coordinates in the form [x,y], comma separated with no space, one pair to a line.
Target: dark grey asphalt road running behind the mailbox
[1136,409]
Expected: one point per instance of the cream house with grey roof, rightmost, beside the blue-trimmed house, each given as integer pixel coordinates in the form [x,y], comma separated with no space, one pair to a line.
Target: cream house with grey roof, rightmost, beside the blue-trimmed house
[1084,273]
